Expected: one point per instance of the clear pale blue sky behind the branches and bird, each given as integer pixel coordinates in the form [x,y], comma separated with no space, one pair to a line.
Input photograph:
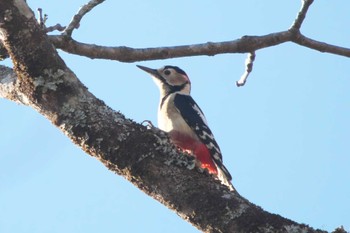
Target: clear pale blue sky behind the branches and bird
[284,136]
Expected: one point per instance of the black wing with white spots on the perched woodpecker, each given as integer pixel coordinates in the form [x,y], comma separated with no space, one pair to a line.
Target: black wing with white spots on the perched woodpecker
[196,120]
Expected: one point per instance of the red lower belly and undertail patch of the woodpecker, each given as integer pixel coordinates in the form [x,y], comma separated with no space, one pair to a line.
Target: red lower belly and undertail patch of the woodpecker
[195,147]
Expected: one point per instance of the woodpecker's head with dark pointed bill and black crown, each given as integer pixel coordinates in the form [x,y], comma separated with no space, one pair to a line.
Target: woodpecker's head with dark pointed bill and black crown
[170,79]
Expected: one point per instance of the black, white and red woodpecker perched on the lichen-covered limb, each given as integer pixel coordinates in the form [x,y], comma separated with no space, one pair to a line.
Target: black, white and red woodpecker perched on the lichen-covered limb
[181,117]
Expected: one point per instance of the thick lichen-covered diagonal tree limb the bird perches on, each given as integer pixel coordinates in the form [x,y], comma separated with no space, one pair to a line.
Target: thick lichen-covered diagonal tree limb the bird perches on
[144,157]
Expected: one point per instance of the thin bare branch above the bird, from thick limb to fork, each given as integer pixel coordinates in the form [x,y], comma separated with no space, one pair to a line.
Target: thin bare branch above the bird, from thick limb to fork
[127,54]
